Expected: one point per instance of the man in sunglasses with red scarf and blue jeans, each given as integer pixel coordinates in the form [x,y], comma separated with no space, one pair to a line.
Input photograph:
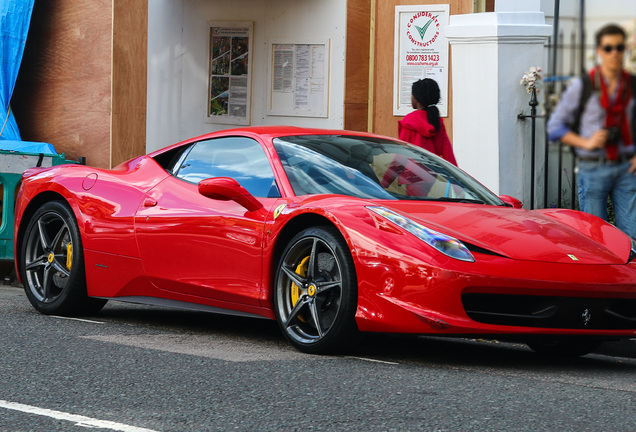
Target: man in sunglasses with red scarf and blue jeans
[601,129]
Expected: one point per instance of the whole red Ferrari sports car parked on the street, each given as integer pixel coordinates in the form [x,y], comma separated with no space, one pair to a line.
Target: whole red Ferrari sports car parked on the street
[329,233]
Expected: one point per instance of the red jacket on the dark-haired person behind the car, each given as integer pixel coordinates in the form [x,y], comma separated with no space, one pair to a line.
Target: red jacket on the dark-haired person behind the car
[415,129]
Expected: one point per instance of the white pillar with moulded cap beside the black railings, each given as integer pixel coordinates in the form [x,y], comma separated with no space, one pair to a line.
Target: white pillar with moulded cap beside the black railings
[490,53]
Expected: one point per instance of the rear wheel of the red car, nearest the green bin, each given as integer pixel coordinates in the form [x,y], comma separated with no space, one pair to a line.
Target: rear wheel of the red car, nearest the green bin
[52,263]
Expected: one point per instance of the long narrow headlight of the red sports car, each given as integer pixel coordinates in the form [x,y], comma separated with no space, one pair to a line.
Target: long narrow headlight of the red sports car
[445,244]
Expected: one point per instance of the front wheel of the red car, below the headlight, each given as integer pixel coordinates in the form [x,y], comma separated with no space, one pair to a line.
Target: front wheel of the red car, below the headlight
[315,291]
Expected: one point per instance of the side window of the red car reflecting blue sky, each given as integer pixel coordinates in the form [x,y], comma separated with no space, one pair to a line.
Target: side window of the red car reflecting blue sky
[241,158]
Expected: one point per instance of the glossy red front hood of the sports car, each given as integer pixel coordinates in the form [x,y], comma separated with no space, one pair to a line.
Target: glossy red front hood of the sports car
[524,234]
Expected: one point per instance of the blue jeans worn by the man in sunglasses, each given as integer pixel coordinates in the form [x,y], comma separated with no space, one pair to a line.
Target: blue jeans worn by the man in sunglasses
[596,182]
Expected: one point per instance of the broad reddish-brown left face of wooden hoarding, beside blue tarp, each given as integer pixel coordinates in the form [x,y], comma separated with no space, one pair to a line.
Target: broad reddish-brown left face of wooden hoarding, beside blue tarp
[62,95]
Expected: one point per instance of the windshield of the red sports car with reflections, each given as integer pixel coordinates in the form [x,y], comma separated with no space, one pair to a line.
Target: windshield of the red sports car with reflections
[367,167]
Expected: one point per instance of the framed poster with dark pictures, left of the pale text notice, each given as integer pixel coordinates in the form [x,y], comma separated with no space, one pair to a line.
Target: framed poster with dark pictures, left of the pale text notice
[230,73]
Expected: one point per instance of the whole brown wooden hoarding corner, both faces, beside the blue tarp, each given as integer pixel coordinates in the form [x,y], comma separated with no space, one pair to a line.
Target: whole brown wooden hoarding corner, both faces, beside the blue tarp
[82,82]
